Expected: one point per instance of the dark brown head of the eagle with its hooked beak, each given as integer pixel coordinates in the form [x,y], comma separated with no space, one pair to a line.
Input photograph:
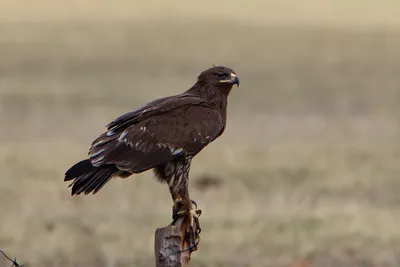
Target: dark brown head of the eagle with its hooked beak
[219,76]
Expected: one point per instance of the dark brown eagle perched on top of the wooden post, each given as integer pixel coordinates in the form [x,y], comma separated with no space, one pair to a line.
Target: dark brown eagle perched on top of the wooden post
[163,135]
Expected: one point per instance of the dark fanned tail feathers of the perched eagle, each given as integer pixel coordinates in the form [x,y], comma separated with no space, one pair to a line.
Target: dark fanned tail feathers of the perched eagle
[87,178]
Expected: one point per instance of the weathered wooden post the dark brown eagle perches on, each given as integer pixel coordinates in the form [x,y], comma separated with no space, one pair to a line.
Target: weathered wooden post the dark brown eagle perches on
[171,247]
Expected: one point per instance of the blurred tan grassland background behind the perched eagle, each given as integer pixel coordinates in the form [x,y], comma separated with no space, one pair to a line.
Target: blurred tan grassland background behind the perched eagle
[306,174]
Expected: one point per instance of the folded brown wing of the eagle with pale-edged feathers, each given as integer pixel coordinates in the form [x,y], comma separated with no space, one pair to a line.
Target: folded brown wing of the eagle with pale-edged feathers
[157,133]
